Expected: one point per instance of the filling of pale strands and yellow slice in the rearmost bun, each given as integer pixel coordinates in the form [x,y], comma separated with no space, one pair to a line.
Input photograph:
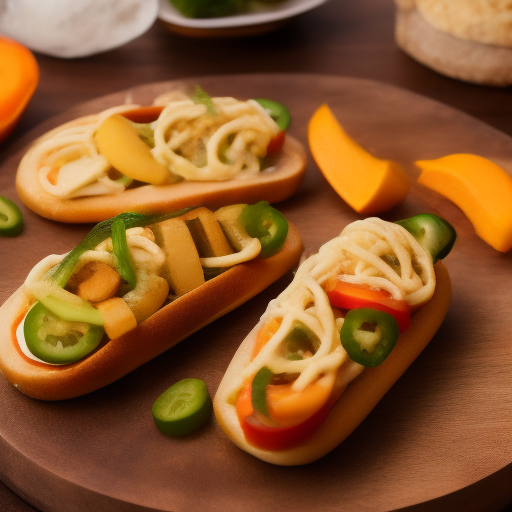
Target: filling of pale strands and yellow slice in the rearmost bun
[209,140]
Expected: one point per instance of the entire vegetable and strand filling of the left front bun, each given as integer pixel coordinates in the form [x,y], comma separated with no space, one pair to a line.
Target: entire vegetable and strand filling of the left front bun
[129,267]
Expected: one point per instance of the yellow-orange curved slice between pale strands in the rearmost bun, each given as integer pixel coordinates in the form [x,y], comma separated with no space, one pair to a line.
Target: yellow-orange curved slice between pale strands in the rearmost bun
[121,145]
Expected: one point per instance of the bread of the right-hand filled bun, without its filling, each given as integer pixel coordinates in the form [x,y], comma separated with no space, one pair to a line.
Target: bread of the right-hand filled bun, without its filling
[360,396]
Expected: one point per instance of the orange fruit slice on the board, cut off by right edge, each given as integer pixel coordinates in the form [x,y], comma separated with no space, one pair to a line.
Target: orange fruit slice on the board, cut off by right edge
[480,188]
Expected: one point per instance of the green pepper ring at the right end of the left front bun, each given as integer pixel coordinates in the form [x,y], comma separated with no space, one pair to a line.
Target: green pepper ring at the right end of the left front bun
[262,221]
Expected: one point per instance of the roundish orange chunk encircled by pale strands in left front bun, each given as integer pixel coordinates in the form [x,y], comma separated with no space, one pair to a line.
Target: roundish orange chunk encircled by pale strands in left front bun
[95,282]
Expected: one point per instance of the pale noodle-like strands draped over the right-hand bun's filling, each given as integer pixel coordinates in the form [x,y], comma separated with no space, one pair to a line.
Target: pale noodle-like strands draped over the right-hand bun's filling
[369,252]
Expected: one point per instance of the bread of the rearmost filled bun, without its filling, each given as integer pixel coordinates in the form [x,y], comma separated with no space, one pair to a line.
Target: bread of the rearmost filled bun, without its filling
[272,186]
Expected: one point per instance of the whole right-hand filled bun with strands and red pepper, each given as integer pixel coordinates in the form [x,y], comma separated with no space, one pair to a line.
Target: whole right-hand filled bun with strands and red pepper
[291,428]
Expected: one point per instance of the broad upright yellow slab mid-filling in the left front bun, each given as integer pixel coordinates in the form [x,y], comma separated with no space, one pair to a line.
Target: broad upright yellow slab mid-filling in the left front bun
[182,268]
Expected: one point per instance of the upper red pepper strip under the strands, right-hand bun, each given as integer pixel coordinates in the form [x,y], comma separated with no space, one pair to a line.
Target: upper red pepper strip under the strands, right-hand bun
[354,296]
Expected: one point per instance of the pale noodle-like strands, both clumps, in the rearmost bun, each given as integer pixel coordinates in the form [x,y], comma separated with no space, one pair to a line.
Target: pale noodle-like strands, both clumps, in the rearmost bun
[192,143]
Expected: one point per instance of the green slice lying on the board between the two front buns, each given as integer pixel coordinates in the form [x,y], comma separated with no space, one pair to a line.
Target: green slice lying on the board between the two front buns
[182,408]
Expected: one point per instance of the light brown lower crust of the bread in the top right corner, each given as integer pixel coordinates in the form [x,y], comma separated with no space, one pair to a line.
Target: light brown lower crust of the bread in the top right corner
[463,59]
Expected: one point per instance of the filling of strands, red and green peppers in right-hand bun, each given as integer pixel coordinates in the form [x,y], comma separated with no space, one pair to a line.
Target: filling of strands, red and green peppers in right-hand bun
[366,282]
